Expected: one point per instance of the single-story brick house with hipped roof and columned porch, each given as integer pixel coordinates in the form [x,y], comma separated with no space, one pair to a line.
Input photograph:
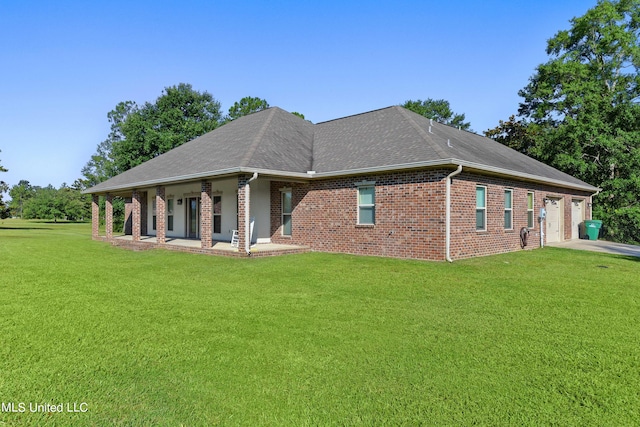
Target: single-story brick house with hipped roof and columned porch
[386,183]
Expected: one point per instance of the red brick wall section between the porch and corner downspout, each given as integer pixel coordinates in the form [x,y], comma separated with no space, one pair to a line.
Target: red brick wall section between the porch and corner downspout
[409,215]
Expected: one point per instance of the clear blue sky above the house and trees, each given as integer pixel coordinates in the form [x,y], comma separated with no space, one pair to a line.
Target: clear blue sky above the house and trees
[65,64]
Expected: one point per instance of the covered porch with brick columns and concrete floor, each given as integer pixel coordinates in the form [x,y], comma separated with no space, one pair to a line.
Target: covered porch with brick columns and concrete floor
[196,216]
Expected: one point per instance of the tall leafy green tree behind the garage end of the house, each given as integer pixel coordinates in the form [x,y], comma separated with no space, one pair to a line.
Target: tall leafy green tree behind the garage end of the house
[581,114]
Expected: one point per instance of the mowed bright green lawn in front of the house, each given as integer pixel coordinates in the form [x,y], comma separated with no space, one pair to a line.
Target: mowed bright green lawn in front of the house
[547,337]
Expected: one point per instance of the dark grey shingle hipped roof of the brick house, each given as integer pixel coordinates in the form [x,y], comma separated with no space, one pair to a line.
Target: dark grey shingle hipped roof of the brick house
[278,142]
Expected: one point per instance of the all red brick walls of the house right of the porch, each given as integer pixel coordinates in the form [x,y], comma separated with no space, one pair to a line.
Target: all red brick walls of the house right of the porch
[410,215]
